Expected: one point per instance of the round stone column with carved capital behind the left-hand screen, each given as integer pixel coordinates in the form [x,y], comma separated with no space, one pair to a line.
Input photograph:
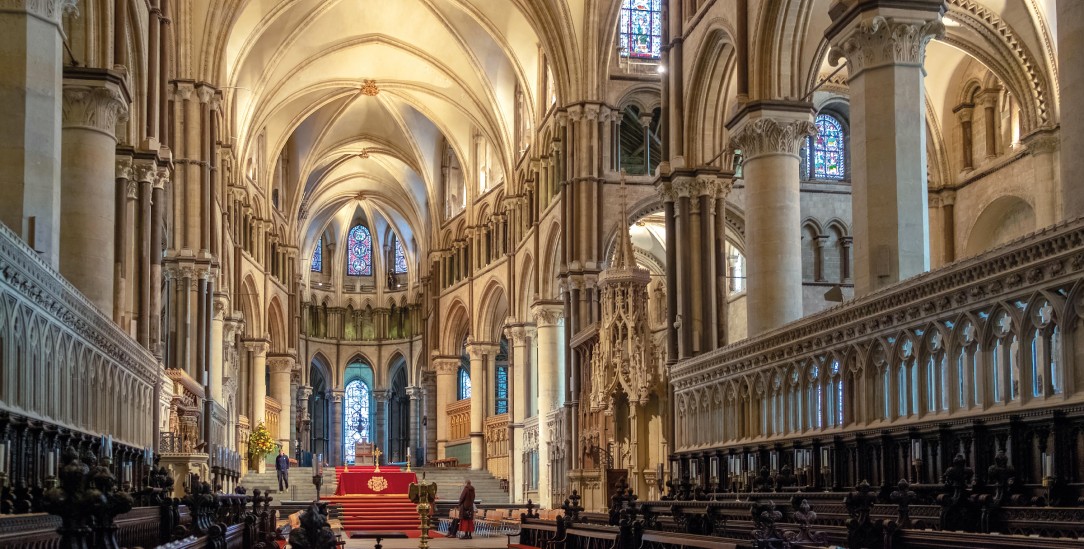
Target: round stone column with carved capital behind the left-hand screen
[95,100]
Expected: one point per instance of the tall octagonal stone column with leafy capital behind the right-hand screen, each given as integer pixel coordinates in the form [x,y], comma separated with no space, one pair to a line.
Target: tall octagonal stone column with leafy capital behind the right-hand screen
[885,46]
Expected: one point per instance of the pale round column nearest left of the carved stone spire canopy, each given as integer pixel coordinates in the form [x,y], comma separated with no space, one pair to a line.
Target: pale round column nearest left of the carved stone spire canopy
[550,321]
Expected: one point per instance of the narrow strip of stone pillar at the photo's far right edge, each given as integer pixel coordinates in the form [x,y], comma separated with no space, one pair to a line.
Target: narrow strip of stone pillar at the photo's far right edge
[1072,78]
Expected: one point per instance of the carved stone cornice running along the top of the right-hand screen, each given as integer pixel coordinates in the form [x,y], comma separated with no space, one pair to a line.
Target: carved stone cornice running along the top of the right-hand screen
[1052,254]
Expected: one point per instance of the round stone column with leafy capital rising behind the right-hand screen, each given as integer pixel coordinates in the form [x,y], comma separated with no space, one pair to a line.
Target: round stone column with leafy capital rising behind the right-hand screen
[769,135]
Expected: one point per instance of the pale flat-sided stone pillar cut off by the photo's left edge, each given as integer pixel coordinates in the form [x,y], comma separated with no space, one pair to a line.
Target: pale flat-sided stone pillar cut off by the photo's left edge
[32,58]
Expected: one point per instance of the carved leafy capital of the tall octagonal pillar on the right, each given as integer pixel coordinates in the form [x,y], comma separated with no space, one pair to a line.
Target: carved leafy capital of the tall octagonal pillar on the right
[881,42]
